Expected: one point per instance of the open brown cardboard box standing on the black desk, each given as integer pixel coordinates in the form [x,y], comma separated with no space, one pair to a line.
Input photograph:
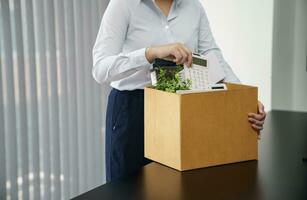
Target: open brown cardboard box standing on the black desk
[191,131]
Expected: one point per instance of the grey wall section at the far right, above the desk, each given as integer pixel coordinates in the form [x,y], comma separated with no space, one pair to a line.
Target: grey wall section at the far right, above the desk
[289,73]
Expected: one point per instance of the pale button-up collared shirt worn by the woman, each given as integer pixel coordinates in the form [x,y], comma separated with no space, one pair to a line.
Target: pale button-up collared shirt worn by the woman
[129,26]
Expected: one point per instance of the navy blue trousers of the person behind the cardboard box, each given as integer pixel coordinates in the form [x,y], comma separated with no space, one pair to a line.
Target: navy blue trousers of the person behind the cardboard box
[124,133]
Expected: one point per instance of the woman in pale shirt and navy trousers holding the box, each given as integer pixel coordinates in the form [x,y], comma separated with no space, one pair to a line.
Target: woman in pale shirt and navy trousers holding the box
[132,34]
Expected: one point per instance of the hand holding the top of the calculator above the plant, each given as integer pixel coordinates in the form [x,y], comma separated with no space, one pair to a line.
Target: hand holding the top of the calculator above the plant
[177,52]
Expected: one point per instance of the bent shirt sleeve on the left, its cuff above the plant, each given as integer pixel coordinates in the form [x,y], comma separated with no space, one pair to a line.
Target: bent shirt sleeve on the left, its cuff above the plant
[109,63]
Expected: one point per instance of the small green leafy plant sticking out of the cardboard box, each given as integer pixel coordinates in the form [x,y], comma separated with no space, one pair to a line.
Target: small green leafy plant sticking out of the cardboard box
[170,81]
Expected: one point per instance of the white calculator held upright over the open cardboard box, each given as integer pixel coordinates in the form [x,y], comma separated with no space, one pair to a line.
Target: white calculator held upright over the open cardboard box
[198,73]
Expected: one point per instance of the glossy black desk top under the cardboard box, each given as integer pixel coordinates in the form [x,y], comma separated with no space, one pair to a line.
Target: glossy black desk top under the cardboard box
[279,174]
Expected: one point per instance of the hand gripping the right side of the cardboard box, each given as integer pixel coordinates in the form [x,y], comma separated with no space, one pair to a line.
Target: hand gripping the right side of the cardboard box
[257,120]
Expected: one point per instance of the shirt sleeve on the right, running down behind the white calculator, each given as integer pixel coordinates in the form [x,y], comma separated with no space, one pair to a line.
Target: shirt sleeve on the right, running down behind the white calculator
[207,43]
